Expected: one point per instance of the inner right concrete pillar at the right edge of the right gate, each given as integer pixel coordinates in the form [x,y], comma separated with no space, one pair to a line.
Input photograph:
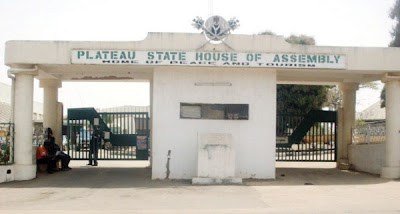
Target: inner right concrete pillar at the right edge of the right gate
[346,122]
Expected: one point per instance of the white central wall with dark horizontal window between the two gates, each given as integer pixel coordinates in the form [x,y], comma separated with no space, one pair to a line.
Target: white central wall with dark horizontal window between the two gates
[253,139]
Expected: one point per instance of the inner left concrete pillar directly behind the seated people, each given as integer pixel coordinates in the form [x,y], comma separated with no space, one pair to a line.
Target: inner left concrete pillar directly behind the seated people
[51,107]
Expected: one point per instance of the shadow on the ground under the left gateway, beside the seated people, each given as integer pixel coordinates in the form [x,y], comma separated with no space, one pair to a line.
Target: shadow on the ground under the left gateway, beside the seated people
[97,177]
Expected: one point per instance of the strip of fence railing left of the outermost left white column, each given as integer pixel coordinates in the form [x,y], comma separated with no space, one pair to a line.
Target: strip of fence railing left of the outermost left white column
[6,143]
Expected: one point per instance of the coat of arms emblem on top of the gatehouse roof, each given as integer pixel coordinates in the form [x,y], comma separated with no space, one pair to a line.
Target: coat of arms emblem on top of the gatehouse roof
[216,28]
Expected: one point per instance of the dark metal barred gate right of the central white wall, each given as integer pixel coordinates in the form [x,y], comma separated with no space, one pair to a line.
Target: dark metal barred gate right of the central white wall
[310,137]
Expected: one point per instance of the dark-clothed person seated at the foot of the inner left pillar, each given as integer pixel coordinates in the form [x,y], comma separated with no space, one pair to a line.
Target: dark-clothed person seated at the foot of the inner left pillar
[54,154]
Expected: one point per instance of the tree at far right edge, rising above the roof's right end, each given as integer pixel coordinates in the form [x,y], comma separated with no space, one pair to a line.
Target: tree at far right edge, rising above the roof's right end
[395,15]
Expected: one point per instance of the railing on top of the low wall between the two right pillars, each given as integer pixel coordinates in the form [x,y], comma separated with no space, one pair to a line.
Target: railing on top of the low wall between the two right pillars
[369,132]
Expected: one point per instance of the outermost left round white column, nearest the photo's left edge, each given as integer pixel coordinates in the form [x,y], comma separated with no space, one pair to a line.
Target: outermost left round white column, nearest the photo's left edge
[25,167]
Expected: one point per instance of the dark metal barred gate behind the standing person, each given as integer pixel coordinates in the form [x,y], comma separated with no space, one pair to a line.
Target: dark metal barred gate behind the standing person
[124,135]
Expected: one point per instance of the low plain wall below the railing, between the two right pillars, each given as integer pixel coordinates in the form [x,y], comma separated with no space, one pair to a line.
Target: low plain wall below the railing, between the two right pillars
[367,157]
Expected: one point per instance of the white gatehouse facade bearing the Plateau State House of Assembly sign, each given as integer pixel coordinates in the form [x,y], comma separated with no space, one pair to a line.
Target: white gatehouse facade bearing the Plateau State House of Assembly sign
[188,74]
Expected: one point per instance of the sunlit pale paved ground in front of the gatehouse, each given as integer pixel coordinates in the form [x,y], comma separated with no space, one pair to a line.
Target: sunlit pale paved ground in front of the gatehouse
[130,190]
